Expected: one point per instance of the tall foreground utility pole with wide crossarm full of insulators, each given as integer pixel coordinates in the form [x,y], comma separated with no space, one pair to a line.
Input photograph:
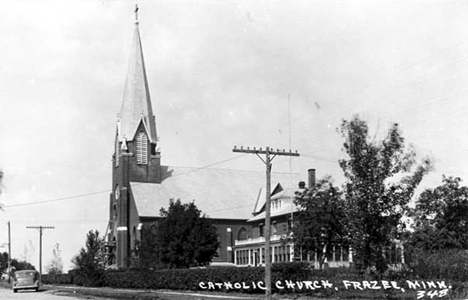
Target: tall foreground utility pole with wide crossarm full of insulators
[268,159]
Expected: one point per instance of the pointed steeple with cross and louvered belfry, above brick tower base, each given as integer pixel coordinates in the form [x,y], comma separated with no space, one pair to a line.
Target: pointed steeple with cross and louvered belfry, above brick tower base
[136,139]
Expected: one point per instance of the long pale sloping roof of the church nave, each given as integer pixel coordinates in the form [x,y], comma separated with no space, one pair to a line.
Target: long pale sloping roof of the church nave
[219,193]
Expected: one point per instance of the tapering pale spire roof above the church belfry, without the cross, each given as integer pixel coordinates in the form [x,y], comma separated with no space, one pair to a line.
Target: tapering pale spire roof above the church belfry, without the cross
[136,101]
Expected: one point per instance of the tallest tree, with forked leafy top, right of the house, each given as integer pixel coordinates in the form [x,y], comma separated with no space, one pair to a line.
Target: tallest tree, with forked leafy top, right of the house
[381,180]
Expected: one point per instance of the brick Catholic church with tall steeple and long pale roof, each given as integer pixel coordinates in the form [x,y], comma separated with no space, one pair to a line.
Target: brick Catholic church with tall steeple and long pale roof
[142,185]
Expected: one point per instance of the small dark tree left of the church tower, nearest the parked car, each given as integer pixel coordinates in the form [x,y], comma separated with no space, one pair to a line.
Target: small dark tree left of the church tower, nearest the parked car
[90,261]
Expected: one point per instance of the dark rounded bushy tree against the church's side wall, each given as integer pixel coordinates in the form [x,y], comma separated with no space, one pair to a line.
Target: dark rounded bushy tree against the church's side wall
[182,238]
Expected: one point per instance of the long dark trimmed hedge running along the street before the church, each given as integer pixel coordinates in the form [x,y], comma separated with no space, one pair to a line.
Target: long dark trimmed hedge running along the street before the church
[190,279]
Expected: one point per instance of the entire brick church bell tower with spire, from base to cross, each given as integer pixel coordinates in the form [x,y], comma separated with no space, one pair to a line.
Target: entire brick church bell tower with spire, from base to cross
[135,157]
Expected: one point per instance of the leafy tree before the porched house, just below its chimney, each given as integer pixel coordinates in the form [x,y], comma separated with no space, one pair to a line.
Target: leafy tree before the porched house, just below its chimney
[321,219]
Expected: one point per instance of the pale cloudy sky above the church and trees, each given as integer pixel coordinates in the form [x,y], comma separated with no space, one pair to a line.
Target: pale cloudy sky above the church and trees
[282,74]
